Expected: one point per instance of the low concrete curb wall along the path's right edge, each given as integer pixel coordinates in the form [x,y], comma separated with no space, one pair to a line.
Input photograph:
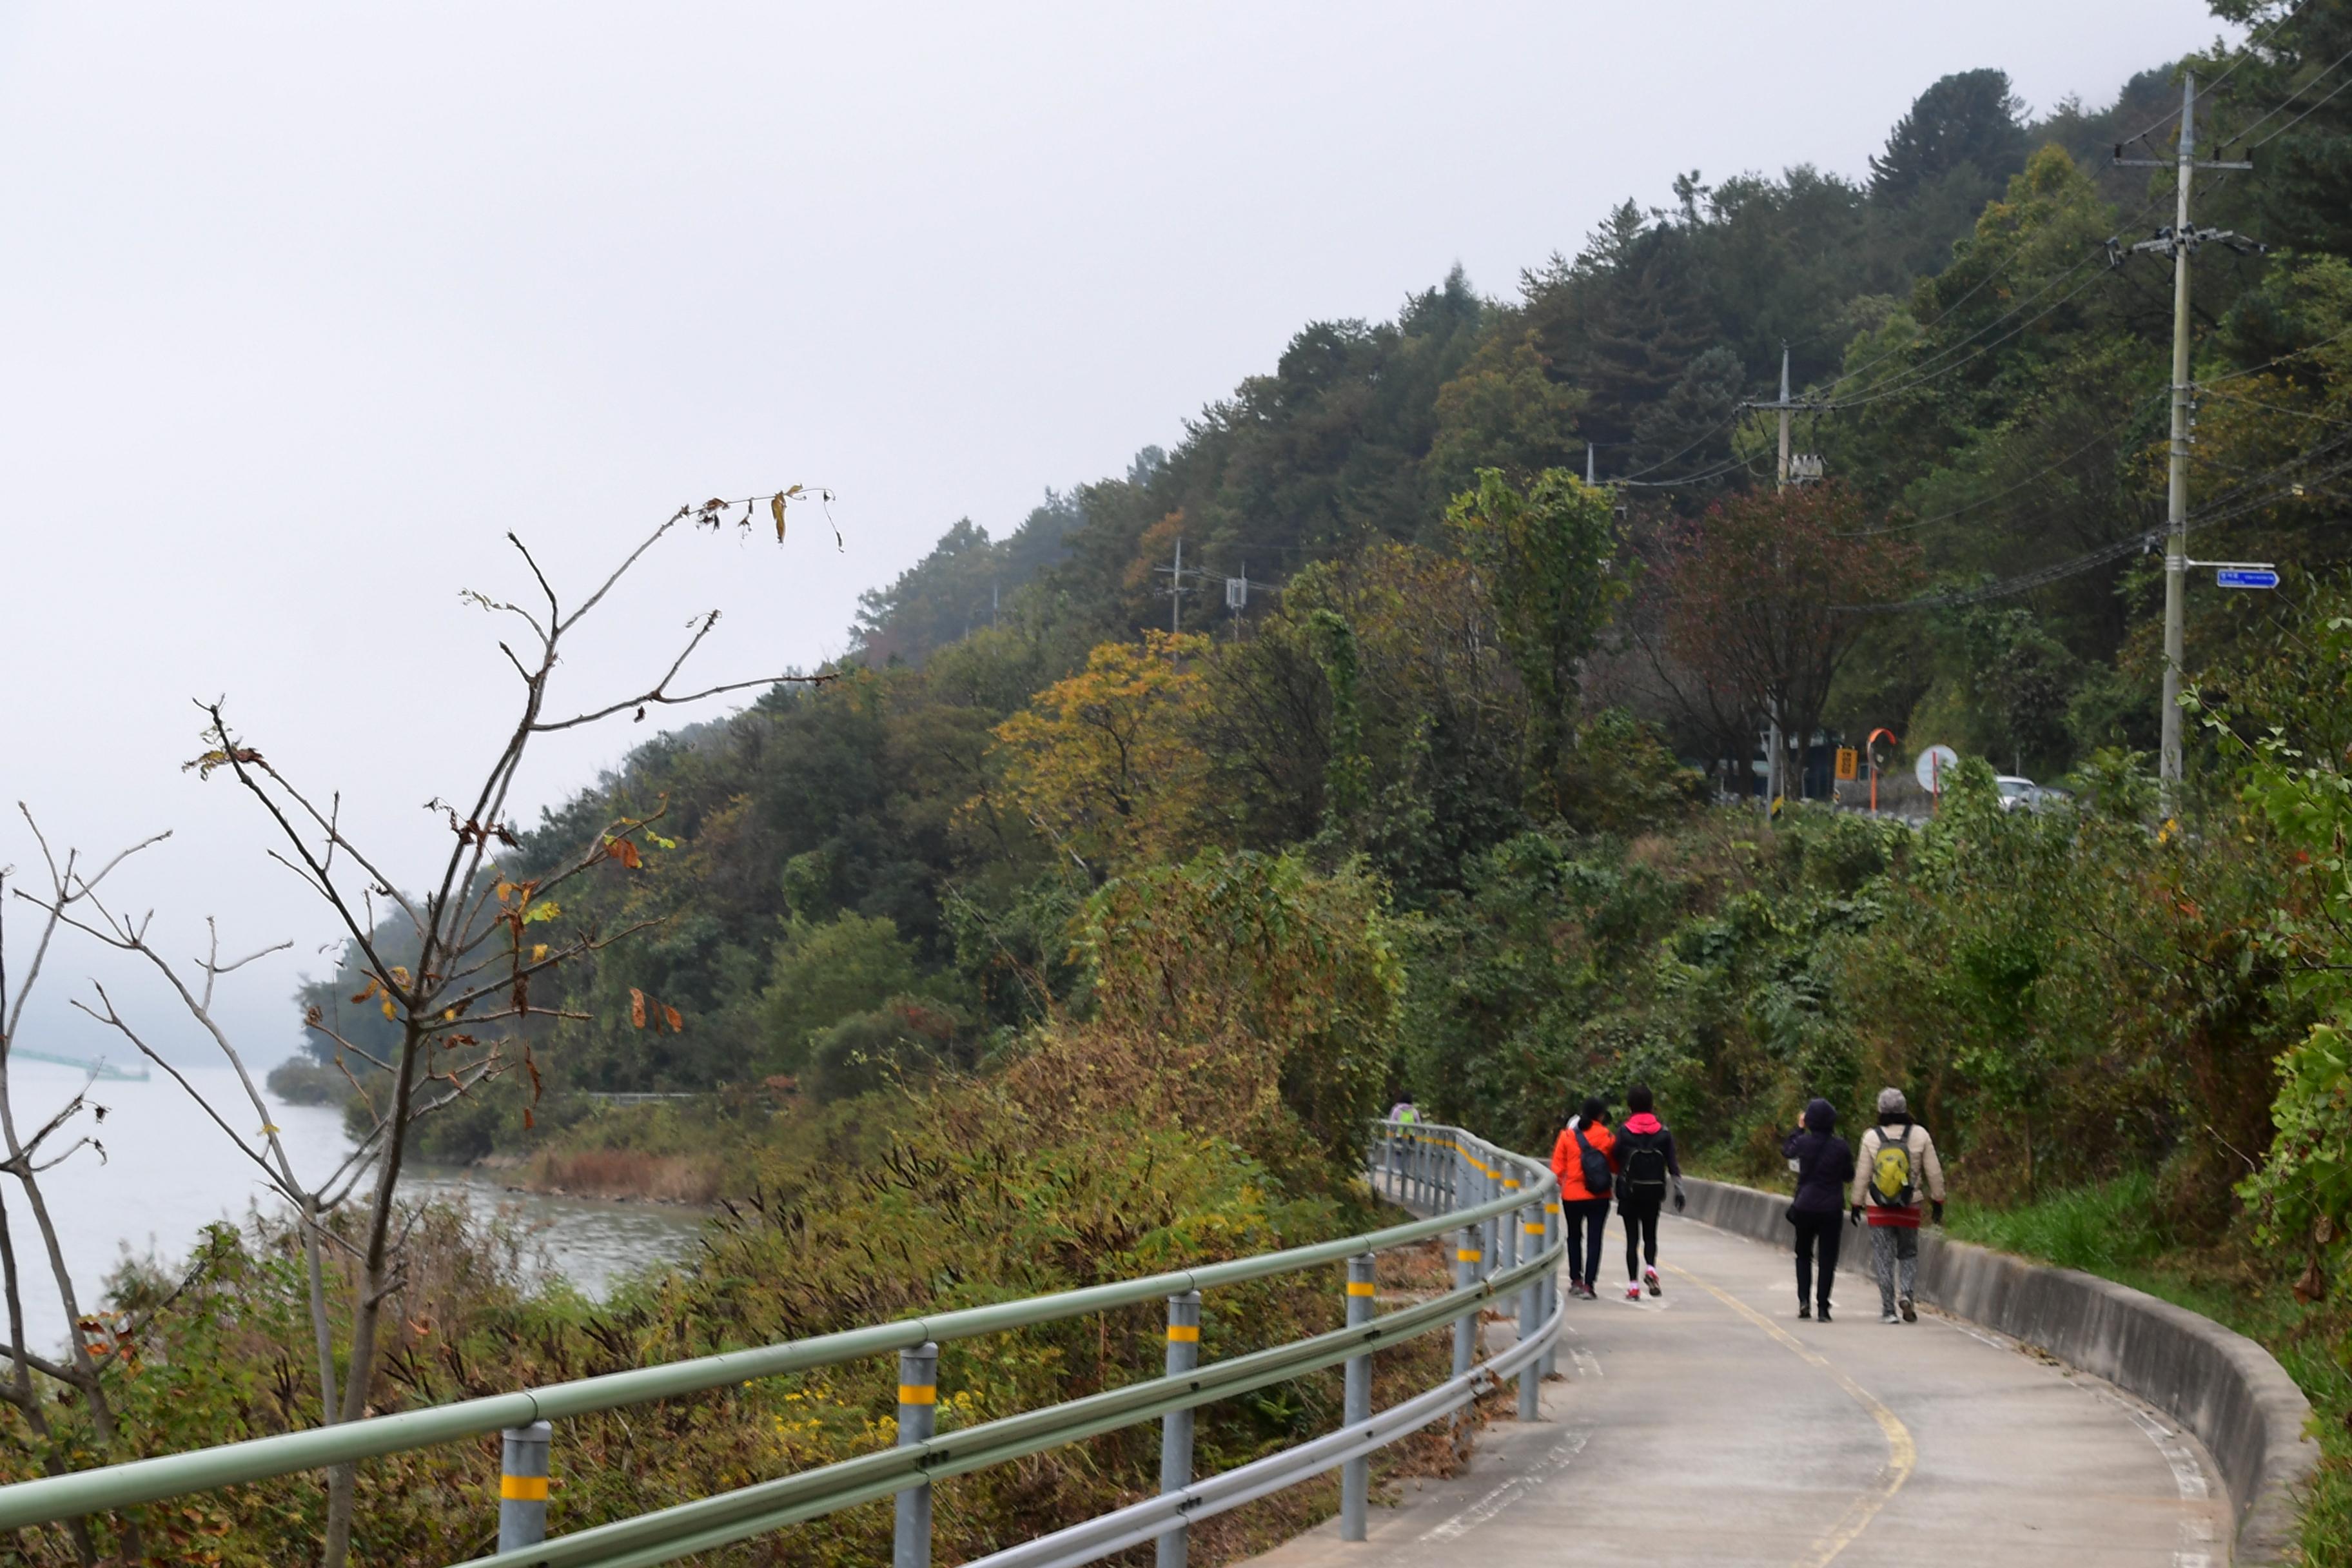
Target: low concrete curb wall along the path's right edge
[2221,1386]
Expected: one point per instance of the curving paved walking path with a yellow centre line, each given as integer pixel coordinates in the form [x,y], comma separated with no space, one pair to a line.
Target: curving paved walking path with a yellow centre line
[1713,1428]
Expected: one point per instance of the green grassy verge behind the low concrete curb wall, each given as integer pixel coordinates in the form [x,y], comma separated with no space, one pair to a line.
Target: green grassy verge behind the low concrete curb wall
[2123,1231]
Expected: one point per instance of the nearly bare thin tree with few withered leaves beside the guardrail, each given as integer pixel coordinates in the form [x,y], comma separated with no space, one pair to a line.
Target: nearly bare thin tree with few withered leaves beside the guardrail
[465,1005]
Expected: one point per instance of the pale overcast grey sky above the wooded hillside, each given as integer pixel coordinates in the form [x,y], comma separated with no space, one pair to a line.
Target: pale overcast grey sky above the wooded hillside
[305,307]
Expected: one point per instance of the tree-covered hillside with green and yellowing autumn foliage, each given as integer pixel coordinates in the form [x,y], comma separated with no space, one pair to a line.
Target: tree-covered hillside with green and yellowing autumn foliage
[1128,899]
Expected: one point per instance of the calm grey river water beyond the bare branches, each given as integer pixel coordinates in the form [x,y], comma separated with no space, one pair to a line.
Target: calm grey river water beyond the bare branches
[171,1172]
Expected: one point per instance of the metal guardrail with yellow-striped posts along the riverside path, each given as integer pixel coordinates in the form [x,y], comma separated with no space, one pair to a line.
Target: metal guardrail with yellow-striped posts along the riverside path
[1509,1242]
